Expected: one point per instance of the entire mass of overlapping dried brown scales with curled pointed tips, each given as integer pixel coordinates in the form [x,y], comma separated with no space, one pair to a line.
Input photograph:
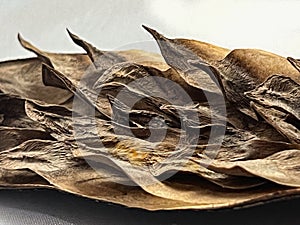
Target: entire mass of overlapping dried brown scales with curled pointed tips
[64,125]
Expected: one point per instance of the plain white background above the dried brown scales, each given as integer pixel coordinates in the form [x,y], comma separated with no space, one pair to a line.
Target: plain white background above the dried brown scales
[273,25]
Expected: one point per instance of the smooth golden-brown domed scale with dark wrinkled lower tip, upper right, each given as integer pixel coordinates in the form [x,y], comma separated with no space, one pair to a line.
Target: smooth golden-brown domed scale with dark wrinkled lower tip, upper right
[243,69]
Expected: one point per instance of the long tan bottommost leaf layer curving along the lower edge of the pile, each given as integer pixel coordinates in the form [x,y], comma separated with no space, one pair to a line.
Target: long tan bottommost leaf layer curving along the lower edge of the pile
[54,162]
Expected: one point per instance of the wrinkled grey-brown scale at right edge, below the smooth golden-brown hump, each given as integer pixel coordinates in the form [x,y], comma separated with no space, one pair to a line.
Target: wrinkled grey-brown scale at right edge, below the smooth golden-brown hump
[277,101]
